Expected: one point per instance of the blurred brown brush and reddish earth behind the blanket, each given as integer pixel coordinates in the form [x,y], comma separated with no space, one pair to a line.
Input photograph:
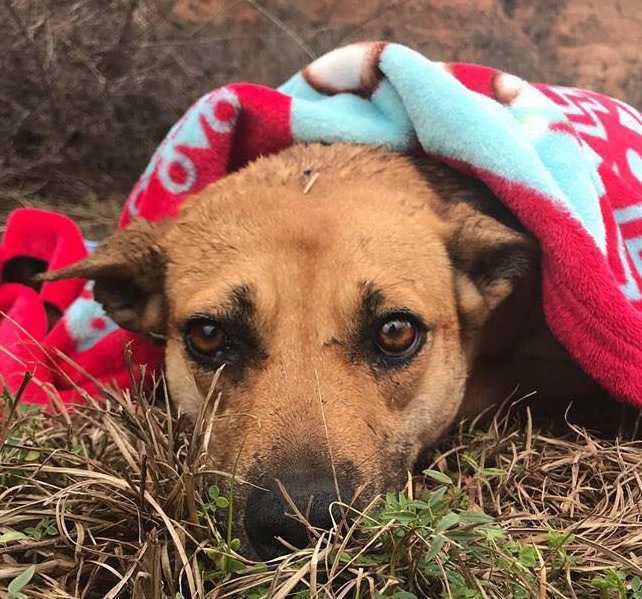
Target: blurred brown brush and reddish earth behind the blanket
[88,88]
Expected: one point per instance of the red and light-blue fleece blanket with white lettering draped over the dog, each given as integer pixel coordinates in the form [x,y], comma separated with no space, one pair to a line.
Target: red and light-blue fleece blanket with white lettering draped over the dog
[567,162]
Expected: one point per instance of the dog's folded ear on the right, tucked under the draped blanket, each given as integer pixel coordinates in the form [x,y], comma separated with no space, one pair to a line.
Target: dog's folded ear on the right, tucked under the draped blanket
[491,260]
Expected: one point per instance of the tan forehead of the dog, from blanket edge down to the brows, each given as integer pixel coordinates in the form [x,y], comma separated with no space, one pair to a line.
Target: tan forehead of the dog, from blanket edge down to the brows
[287,239]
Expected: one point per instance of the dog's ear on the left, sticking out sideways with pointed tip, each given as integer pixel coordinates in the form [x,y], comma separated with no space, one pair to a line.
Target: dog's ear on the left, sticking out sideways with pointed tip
[129,274]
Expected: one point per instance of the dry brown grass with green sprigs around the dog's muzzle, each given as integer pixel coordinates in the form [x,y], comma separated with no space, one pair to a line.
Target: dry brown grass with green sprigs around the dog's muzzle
[116,500]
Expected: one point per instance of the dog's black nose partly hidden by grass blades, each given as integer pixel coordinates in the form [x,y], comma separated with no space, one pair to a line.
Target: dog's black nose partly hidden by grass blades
[269,516]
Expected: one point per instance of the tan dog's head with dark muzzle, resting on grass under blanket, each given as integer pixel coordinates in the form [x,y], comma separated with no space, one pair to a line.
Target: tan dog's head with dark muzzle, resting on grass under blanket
[345,290]
